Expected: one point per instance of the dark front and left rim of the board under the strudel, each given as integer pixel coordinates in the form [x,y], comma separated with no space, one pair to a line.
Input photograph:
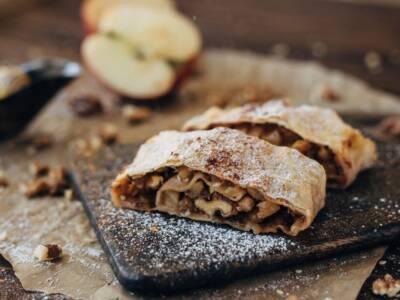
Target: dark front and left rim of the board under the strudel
[136,282]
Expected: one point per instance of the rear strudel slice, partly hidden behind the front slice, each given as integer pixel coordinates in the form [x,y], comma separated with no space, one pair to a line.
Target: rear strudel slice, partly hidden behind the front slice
[316,132]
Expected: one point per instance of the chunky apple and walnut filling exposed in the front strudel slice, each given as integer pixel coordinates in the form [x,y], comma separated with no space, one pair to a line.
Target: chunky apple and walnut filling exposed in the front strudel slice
[200,196]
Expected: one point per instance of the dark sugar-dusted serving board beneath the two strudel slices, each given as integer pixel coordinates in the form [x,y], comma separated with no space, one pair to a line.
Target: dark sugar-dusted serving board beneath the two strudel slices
[159,253]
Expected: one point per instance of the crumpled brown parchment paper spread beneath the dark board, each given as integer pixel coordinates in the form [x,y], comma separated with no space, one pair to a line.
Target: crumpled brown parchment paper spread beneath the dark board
[84,272]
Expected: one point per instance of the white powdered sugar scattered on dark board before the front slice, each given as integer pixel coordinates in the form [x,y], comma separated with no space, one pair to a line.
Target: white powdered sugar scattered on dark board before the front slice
[183,244]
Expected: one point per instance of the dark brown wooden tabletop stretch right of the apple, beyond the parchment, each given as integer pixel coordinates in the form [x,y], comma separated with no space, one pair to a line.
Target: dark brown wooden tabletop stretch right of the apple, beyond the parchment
[347,29]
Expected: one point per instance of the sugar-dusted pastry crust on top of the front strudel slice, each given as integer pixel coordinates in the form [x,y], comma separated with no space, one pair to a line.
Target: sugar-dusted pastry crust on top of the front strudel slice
[277,172]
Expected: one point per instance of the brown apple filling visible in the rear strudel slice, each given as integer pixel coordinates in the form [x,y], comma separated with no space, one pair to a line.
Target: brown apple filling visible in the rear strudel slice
[280,136]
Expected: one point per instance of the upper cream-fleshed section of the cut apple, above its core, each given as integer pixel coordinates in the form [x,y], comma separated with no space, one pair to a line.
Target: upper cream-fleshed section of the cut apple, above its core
[158,33]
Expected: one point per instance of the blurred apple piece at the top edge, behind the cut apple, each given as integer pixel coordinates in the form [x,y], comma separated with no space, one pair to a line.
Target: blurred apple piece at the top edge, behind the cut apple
[92,10]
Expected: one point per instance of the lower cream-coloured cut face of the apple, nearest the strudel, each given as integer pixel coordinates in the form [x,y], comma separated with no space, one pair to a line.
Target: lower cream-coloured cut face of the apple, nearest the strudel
[115,64]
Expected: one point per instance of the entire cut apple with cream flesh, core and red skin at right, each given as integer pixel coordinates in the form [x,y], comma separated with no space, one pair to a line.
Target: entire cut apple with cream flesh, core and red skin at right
[140,52]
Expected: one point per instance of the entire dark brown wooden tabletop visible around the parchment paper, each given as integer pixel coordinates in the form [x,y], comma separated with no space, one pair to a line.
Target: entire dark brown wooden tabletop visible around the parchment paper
[338,34]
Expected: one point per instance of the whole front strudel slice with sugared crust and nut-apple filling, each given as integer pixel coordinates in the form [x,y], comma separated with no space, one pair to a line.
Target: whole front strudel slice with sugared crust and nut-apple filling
[223,176]
